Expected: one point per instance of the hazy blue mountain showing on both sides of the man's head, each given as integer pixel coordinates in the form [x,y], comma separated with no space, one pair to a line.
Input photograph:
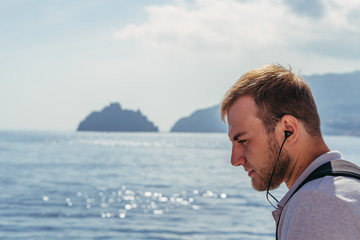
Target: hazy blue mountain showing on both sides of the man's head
[337,97]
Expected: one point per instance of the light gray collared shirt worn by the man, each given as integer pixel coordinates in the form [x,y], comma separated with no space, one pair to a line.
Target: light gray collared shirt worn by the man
[325,208]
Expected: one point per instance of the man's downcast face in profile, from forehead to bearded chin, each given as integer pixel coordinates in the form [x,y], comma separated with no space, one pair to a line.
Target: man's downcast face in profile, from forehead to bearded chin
[252,147]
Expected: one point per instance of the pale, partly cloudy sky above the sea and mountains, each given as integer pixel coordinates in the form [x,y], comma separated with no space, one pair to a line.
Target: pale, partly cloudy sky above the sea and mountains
[60,60]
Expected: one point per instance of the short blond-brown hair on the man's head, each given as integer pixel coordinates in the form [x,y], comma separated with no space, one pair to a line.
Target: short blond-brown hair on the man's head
[277,92]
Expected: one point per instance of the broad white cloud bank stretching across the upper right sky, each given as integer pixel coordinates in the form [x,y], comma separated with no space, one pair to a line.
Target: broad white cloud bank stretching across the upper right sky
[249,28]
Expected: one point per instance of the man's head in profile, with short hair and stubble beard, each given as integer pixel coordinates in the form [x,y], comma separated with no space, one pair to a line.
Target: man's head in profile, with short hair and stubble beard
[264,100]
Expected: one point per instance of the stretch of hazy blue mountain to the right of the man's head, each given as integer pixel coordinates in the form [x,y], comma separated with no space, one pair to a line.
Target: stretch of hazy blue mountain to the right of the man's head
[338,100]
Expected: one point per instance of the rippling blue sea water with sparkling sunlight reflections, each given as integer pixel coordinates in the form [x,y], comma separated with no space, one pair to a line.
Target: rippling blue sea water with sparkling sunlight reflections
[68,185]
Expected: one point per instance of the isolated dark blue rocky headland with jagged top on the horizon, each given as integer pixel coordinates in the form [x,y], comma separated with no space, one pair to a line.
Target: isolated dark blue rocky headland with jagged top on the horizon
[114,119]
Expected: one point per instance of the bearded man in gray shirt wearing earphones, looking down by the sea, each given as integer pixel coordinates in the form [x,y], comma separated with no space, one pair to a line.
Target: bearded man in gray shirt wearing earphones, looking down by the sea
[275,132]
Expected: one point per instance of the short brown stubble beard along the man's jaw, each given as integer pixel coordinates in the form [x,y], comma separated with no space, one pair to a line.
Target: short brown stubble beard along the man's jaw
[280,169]
